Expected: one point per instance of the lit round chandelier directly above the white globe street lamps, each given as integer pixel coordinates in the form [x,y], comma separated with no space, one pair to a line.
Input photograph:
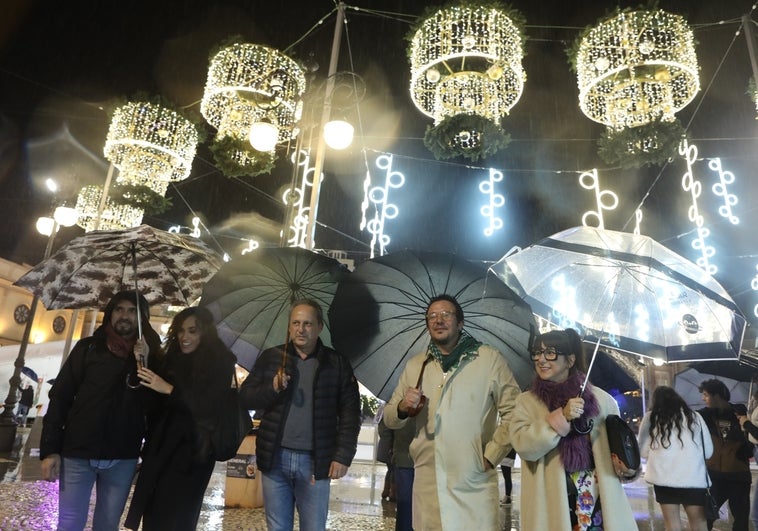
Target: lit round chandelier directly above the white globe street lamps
[249,83]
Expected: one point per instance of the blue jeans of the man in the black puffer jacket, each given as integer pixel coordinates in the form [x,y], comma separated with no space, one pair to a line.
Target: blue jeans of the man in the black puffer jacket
[290,484]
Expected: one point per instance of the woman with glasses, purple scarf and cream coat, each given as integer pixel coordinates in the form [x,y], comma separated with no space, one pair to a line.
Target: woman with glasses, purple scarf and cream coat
[563,445]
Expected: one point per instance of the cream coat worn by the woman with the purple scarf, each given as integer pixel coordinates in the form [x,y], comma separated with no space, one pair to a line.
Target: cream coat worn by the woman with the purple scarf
[544,497]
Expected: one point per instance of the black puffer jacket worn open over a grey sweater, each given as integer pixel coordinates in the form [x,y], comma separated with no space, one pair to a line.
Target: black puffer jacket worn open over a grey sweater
[336,404]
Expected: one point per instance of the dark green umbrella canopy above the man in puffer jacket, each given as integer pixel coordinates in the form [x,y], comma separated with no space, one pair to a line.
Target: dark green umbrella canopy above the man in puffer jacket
[250,297]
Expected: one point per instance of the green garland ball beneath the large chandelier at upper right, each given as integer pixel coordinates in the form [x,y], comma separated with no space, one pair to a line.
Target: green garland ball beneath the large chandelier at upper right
[633,147]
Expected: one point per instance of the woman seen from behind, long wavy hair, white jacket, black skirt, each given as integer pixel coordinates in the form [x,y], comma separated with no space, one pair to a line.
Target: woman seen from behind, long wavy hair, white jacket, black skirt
[676,442]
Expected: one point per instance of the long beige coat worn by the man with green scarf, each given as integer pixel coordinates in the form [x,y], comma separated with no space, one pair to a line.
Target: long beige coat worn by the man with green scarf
[465,420]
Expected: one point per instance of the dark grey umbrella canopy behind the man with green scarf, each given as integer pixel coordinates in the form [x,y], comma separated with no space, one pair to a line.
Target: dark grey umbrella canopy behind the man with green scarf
[378,314]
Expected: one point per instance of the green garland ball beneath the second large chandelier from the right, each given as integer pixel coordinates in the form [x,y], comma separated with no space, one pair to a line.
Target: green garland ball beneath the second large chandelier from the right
[465,135]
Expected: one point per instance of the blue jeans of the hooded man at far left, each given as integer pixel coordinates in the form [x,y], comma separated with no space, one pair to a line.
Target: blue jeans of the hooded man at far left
[113,480]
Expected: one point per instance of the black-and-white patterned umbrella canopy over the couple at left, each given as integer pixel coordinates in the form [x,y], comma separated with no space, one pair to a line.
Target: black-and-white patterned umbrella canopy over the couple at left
[90,269]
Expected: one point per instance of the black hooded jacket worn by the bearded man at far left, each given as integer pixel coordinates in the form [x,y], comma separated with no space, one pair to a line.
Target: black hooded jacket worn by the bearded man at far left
[93,414]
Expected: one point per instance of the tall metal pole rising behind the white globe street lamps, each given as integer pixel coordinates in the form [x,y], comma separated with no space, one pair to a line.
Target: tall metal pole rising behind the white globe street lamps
[321,144]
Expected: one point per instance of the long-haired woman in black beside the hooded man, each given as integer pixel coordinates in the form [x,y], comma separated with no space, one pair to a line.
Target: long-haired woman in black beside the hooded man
[189,383]
